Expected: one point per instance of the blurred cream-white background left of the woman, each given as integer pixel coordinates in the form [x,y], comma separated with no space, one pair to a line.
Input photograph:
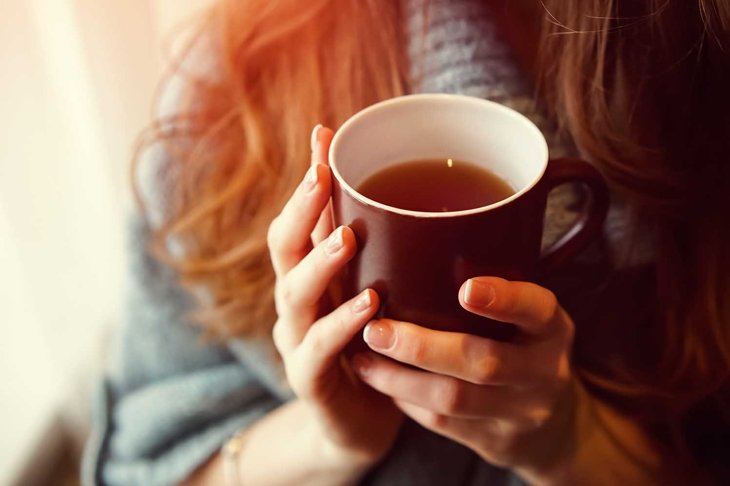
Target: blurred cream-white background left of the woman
[77,84]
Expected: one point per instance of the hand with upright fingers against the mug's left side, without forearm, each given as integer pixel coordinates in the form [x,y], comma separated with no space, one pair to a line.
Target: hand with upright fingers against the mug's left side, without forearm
[354,420]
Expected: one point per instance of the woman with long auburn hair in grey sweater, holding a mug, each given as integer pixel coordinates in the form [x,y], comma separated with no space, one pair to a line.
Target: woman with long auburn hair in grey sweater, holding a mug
[620,374]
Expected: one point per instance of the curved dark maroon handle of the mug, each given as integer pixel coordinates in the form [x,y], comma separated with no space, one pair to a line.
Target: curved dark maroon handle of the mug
[589,222]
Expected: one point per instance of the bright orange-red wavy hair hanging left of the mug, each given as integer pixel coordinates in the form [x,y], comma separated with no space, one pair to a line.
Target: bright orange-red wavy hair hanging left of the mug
[239,140]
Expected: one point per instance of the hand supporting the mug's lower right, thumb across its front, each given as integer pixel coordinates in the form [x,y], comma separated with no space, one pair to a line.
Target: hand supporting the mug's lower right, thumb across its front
[509,402]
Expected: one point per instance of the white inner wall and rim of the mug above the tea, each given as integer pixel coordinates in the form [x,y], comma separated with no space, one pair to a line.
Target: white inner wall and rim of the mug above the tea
[432,126]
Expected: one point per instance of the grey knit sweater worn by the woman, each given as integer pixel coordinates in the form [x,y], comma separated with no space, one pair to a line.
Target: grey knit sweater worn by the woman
[170,400]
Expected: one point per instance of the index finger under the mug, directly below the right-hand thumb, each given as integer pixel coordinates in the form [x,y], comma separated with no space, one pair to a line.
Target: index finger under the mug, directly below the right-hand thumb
[467,357]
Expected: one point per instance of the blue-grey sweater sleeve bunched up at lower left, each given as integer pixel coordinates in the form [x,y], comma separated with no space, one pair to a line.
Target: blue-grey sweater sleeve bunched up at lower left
[170,399]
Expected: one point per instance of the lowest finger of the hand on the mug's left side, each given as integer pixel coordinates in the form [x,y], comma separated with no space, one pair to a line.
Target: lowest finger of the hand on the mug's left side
[326,339]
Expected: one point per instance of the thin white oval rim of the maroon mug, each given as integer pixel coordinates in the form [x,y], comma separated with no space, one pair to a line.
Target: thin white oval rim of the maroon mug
[415,98]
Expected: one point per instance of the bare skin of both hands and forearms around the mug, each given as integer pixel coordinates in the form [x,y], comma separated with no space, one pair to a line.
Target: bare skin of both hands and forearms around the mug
[517,405]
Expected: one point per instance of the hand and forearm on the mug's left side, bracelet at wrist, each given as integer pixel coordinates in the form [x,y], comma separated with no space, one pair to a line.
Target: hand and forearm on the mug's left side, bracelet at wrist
[337,427]
